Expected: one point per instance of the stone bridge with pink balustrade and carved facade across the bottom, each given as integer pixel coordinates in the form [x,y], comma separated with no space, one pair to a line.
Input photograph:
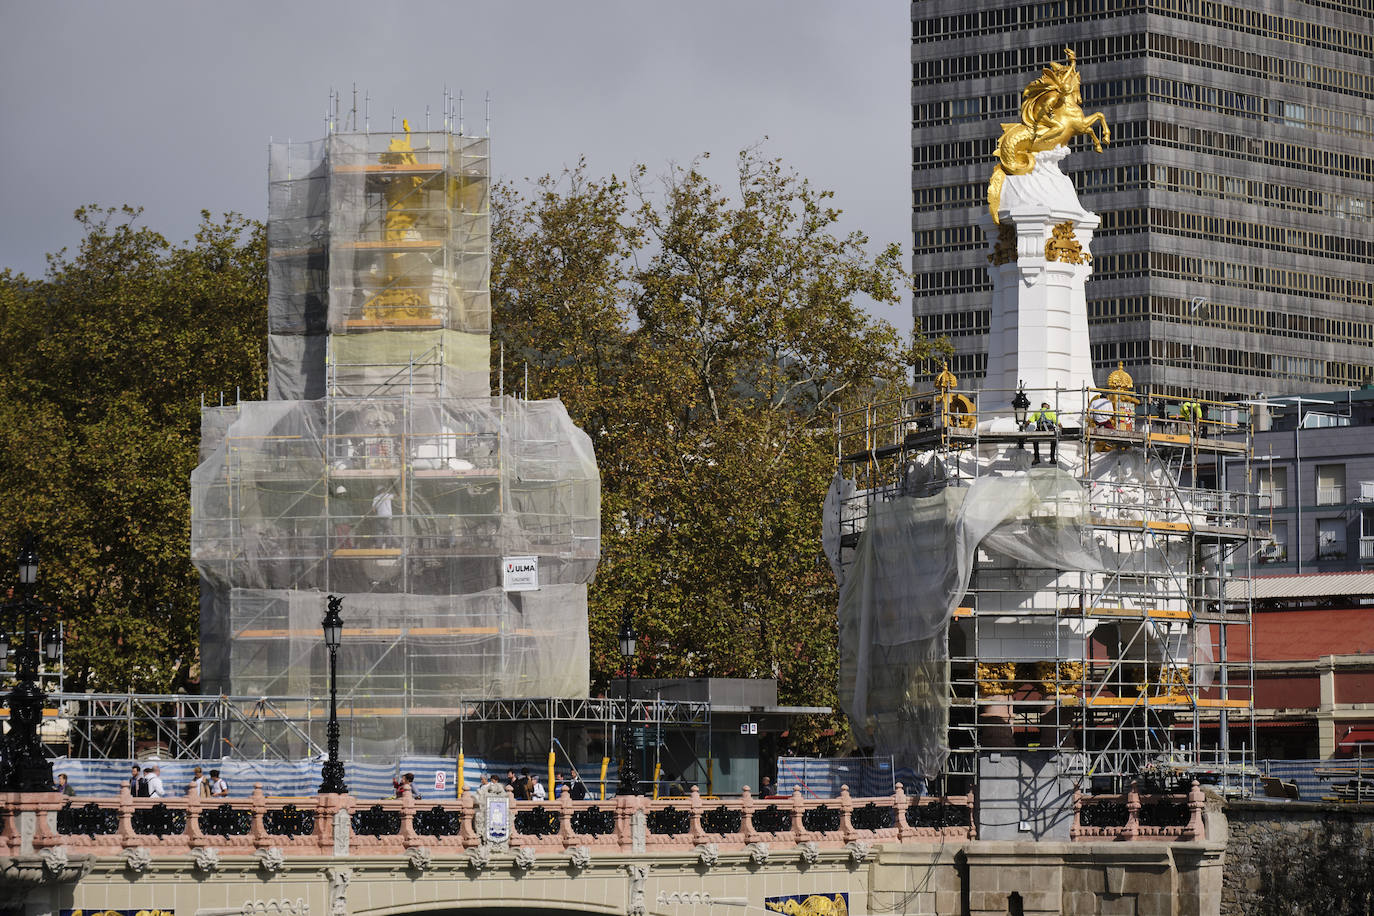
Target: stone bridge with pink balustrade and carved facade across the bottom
[337,856]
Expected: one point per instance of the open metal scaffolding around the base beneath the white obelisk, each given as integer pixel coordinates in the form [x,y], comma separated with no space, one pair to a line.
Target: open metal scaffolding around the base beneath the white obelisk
[1090,621]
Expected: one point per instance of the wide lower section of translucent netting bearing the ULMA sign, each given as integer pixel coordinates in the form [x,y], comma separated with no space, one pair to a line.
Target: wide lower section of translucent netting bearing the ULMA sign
[407,507]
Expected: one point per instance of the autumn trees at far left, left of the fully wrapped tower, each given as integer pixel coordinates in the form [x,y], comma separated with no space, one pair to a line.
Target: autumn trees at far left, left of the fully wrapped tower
[108,358]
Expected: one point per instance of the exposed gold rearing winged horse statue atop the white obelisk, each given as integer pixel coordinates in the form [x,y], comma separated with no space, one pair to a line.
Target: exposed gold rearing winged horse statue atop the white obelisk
[1052,116]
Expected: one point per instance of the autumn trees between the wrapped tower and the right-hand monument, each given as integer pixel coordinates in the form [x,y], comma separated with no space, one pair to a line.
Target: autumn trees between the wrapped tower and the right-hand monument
[704,343]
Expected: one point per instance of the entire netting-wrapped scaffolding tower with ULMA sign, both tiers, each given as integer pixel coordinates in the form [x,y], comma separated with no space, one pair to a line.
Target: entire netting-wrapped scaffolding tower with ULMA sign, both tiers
[381,469]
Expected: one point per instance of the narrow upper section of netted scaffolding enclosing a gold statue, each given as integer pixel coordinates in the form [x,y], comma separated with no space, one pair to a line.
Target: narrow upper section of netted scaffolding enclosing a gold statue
[379,259]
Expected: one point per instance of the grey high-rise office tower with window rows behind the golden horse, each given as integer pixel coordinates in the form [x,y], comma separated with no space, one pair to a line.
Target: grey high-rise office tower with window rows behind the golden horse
[1236,252]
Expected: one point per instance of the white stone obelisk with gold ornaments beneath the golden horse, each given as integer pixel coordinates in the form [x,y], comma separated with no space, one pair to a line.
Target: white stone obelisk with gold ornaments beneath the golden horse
[1039,322]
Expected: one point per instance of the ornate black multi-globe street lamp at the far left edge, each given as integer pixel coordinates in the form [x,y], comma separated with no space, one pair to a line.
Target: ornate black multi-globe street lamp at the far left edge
[30,630]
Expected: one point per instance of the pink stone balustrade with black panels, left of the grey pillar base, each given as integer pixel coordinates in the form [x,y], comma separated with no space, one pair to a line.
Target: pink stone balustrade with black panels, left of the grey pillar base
[344,825]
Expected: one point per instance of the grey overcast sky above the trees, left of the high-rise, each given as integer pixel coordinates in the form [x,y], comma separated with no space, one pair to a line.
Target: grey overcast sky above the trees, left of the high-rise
[170,106]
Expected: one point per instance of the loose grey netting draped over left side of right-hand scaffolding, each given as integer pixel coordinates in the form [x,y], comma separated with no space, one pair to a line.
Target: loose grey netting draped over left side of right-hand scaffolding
[910,569]
